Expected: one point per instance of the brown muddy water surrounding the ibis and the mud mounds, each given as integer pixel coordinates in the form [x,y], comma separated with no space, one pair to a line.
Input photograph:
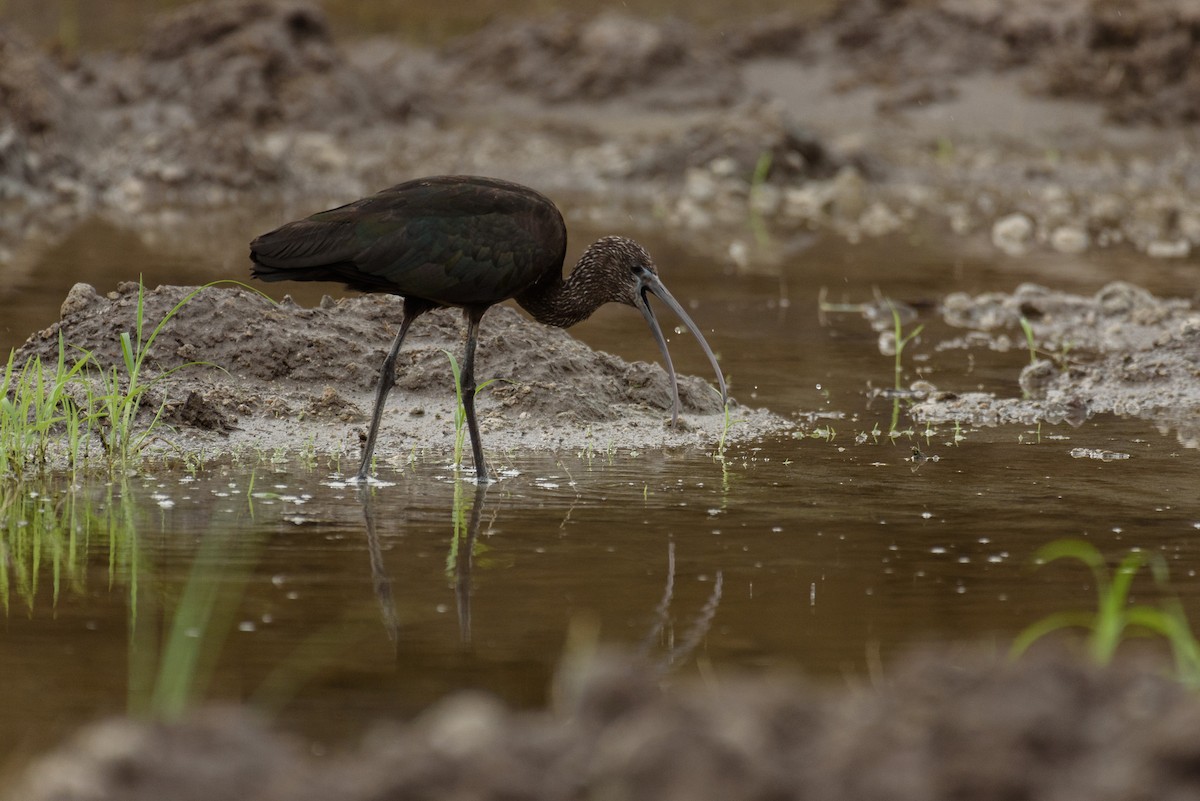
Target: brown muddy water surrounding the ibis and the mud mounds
[827,555]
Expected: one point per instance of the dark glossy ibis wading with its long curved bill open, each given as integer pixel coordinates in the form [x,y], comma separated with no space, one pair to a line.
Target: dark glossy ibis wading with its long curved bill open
[470,243]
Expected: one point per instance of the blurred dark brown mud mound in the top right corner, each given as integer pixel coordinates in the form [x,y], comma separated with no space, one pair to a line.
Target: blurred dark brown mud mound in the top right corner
[1141,59]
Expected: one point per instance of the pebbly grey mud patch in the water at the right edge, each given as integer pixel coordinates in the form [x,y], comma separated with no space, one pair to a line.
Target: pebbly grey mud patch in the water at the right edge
[1121,351]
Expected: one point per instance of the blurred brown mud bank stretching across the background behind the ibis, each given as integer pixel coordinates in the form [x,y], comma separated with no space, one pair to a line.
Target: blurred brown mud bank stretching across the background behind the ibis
[1019,127]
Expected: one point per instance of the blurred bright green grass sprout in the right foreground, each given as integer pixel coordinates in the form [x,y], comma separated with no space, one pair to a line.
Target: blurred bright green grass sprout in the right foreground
[1115,619]
